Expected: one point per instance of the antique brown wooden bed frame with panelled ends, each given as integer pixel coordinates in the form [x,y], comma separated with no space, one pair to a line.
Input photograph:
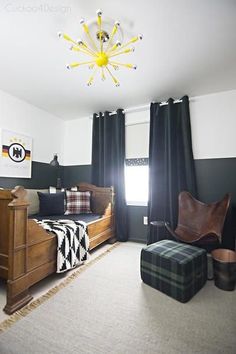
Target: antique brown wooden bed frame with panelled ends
[28,252]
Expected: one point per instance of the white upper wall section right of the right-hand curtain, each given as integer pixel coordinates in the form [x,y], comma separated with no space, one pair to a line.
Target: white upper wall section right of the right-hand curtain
[213,121]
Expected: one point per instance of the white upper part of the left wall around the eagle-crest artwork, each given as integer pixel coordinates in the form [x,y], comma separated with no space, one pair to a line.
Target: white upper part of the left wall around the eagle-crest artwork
[45,129]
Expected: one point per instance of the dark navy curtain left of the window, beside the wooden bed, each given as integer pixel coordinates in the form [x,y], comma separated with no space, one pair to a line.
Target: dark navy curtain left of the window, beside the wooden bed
[108,160]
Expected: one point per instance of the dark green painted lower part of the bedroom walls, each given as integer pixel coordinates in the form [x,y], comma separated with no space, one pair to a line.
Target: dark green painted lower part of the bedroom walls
[215,177]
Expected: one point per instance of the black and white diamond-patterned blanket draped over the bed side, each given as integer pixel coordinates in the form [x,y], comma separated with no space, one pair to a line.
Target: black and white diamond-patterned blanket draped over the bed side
[72,242]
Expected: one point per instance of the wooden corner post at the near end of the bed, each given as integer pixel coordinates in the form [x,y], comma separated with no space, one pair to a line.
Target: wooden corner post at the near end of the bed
[17,283]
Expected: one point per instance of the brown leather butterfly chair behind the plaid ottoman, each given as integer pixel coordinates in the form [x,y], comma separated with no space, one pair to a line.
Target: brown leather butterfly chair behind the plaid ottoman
[198,223]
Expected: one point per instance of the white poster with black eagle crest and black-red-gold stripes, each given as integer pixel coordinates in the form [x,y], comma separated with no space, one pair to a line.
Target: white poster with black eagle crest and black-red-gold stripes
[16,155]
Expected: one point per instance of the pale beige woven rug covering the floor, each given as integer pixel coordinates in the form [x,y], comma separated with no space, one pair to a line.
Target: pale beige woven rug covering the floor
[106,308]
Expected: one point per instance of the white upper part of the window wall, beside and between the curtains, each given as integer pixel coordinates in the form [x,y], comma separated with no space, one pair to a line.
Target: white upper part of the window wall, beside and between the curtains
[213,119]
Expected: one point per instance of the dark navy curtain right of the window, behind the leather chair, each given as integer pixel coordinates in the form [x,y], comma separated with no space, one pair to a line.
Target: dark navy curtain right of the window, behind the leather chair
[171,164]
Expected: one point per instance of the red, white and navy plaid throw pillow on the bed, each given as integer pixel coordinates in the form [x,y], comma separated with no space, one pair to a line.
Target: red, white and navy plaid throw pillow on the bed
[77,202]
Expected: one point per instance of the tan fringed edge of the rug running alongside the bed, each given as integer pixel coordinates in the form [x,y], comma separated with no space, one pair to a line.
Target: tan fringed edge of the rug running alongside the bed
[18,315]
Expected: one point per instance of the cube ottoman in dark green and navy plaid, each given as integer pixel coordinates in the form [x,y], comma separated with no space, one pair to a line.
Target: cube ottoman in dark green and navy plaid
[177,269]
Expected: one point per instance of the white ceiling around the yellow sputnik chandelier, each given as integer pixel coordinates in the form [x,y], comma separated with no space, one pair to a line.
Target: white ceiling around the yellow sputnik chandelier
[189,47]
